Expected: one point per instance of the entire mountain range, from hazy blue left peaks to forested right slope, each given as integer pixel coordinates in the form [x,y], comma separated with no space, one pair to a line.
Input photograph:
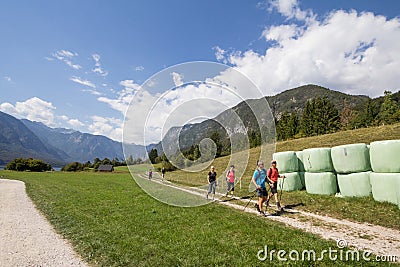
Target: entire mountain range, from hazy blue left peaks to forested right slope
[24,138]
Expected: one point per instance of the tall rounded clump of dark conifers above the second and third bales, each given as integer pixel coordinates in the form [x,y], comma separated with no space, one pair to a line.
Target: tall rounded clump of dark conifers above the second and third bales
[320,117]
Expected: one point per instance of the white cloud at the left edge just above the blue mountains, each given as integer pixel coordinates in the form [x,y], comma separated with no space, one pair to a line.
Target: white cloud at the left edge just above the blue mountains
[34,109]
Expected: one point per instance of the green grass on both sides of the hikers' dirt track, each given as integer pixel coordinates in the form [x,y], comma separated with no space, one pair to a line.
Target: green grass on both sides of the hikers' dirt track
[111,221]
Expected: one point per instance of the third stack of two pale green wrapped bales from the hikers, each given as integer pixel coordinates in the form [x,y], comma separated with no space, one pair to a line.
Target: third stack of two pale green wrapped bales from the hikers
[352,165]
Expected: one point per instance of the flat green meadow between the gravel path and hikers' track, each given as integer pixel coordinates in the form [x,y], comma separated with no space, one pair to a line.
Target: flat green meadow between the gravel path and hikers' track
[111,222]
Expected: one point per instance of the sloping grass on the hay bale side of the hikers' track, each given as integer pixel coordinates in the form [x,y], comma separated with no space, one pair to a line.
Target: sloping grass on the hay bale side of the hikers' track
[355,209]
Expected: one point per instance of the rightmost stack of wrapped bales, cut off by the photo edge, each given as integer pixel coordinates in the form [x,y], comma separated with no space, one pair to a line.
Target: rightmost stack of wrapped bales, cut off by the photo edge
[385,178]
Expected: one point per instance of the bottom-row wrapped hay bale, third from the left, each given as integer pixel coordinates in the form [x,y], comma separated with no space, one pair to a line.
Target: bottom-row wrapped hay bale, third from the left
[354,184]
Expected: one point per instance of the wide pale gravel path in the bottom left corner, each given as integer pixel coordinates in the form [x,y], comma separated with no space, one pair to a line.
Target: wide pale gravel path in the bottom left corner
[26,237]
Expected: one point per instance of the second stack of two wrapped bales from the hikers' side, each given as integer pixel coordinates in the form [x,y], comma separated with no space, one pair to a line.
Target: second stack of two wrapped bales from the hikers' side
[319,176]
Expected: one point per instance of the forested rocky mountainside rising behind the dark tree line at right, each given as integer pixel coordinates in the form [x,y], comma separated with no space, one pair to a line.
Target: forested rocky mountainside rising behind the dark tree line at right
[292,100]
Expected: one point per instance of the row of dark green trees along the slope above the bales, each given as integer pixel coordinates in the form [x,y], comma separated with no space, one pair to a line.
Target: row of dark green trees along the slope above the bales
[321,117]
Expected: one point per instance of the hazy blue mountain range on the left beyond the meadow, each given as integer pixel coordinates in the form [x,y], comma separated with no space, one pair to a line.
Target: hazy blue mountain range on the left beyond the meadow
[57,146]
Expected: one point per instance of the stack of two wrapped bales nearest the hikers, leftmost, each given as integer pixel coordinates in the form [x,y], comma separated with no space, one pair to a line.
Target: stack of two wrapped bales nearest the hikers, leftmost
[287,164]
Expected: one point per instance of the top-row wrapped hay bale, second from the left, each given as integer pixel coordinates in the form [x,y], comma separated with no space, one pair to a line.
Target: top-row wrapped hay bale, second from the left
[317,160]
